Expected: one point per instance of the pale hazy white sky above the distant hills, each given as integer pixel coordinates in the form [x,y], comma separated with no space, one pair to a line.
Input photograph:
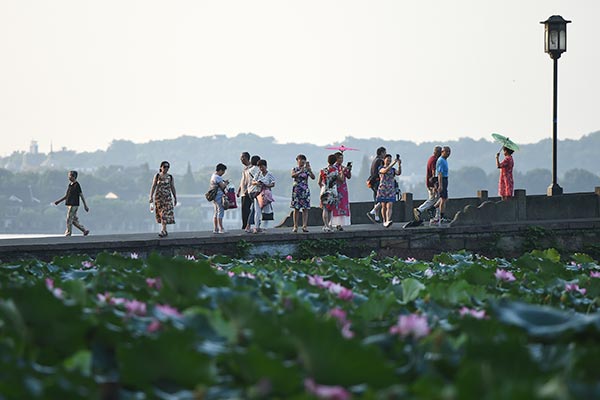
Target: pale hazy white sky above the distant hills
[81,73]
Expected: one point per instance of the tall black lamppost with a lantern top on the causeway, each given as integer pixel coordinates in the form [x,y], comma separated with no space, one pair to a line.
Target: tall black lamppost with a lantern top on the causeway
[555,43]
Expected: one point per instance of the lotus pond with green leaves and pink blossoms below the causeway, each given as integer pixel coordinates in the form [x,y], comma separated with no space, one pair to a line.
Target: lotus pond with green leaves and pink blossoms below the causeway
[458,327]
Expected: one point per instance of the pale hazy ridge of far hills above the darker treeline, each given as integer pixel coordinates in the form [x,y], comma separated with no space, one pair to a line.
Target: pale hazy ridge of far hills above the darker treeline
[204,152]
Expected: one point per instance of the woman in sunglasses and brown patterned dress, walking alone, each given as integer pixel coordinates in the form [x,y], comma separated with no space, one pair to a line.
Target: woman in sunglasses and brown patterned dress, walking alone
[160,194]
